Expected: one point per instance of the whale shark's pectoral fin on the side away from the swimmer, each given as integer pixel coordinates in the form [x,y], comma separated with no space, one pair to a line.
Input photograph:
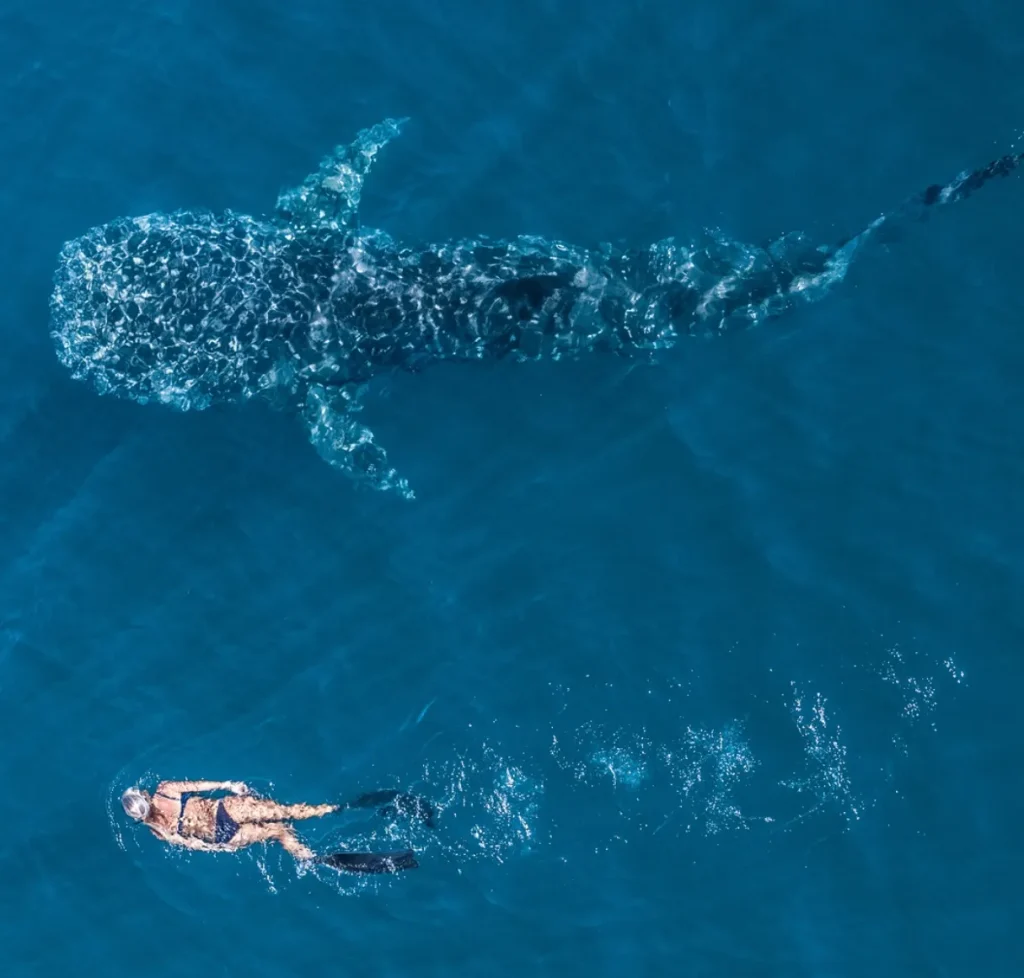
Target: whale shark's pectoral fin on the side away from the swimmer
[330,197]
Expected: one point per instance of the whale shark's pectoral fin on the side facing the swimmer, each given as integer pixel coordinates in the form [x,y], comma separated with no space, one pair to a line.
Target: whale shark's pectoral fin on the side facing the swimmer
[346,444]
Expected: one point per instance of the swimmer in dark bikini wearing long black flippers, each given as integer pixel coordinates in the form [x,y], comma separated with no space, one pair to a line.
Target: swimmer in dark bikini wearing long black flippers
[179,814]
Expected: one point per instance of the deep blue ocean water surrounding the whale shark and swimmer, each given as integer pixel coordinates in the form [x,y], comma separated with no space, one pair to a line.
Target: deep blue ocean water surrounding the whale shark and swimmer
[713,666]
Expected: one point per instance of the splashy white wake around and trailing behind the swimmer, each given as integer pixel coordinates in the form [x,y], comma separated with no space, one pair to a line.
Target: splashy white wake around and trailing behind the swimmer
[496,804]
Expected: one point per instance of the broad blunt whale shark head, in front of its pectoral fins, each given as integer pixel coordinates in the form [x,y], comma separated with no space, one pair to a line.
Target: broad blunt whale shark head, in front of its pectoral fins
[157,309]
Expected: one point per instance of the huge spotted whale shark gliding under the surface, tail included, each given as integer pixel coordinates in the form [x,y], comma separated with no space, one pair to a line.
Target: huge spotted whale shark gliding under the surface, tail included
[306,307]
